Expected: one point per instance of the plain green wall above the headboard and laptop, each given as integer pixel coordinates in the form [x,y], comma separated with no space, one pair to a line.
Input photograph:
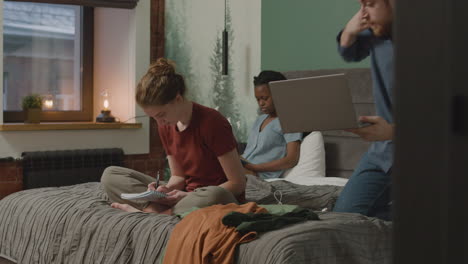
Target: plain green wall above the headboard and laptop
[301,34]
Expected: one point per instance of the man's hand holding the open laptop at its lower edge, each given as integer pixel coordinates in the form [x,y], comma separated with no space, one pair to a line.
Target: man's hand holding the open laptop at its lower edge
[379,130]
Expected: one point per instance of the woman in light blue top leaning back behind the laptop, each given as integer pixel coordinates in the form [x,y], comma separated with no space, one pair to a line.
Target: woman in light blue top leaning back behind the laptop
[269,151]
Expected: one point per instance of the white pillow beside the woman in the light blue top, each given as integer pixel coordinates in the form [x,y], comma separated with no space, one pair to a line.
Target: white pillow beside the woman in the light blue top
[311,160]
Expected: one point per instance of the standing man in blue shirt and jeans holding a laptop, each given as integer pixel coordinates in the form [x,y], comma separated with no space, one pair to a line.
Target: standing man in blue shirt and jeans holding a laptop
[369,33]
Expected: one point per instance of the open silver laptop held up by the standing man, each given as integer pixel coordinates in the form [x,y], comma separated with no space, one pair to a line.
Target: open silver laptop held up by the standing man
[314,104]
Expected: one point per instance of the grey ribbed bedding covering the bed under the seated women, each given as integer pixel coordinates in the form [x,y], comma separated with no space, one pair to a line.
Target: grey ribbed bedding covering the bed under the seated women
[75,224]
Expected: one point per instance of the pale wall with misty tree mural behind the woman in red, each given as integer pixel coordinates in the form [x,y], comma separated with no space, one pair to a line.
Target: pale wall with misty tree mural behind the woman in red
[191,35]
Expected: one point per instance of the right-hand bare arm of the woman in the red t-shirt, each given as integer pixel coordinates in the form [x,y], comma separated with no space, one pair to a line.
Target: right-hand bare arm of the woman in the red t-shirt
[232,167]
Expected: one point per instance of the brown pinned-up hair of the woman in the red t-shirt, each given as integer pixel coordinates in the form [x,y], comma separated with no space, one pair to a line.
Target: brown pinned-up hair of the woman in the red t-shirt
[160,85]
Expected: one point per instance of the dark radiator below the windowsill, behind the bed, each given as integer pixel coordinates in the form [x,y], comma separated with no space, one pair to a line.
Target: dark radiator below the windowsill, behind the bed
[67,167]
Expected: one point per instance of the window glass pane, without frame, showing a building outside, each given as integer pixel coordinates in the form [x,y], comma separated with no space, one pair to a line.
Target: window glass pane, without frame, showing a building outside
[42,54]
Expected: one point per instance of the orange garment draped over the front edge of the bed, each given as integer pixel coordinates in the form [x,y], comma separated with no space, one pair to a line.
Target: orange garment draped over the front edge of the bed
[201,237]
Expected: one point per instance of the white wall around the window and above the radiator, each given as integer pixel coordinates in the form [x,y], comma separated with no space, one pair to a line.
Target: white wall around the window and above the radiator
[122,45]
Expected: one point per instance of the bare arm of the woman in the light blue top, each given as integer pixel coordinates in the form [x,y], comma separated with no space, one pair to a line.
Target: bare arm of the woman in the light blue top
[289,161]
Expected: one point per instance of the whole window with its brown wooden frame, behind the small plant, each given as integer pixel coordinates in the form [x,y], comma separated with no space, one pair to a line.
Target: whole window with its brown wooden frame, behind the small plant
[48,50]
